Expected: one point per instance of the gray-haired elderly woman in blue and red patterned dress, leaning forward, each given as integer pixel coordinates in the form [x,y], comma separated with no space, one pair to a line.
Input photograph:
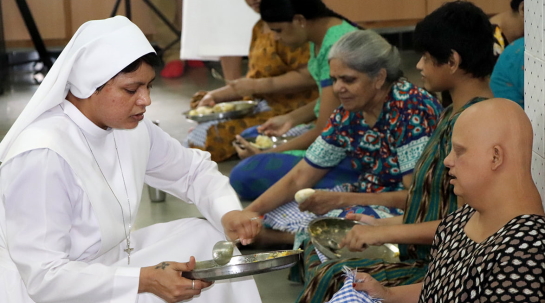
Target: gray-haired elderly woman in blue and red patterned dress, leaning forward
[383,124]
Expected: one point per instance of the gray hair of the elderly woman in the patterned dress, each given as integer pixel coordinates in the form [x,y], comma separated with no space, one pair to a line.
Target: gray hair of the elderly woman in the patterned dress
[368,52]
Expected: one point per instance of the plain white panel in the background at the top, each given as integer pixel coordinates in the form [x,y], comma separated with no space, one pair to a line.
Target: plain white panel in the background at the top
[216,28]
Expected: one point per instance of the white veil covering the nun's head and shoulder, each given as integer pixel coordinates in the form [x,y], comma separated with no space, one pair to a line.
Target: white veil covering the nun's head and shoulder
[96,53]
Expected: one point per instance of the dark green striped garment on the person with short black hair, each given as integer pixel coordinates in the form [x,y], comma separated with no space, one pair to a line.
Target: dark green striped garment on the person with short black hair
[430,198]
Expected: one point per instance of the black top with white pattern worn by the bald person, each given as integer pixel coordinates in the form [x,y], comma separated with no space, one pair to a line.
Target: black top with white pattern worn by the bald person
[509,266]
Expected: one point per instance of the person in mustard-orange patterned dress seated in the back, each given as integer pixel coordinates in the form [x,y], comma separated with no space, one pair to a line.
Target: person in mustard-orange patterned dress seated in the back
[268,61]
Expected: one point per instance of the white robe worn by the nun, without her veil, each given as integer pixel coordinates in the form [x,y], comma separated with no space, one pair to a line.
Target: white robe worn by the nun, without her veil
[64,228]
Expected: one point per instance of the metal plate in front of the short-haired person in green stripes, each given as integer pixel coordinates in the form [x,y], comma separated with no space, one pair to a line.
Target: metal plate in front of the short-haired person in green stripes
[327,233]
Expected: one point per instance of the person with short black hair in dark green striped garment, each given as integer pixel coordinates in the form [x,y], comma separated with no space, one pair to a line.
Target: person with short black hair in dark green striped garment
[457,57]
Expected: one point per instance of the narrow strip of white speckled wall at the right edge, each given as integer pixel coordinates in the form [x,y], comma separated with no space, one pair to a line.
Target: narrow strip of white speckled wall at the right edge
[534,94]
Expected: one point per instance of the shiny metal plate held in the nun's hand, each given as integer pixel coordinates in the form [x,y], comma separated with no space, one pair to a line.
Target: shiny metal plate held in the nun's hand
[244,265]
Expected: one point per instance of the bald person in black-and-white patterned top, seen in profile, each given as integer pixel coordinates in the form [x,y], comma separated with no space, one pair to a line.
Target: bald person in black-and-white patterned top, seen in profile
[493,247]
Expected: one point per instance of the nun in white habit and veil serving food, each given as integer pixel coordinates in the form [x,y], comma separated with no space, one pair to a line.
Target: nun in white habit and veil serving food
[73,168]
